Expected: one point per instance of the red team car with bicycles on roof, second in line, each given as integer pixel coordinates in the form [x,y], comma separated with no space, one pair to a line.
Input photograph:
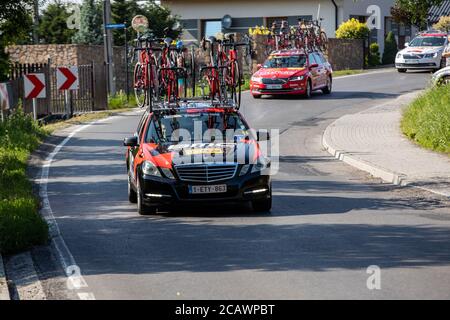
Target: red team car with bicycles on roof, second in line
[292,72]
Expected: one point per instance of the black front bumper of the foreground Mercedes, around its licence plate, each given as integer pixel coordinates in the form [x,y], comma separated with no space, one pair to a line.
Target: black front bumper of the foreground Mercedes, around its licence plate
[160,191]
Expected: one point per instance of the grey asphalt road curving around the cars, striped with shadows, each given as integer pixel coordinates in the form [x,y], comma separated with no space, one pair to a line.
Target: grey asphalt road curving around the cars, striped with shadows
[328,225]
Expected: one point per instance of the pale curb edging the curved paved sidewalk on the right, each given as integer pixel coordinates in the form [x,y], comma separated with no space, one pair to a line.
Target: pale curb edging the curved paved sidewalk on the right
[389,176]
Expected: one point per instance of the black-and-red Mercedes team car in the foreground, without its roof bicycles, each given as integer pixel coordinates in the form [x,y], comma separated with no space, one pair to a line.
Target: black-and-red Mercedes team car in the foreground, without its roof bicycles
[196,153]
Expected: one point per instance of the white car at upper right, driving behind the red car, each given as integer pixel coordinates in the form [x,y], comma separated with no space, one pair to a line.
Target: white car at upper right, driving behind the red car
[423,52]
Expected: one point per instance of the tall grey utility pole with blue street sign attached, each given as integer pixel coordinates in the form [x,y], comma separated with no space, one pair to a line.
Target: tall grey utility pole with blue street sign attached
[108,42]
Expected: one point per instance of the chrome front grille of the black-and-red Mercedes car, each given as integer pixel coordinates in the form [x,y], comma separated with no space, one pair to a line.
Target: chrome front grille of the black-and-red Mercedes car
[206,172]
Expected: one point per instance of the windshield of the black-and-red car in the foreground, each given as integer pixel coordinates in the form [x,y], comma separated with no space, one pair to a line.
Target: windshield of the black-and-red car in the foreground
[166,129]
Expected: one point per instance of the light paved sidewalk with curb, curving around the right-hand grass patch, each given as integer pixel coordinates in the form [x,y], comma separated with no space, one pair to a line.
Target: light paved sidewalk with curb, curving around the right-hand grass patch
[372,141]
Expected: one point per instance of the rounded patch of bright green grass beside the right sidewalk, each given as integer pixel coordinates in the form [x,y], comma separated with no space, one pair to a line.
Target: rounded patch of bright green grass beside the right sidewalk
[427,120]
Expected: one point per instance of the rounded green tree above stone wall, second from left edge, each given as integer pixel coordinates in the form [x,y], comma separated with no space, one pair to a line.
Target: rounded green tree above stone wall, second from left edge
[53,26]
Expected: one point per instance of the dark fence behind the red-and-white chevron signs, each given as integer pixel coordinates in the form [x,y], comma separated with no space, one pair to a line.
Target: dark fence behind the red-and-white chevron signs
[91,95]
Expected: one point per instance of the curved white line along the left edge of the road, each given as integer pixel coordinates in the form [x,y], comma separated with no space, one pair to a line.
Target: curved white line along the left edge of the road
[75,281]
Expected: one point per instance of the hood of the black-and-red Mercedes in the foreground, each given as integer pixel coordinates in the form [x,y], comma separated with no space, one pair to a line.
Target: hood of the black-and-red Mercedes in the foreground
[168,155]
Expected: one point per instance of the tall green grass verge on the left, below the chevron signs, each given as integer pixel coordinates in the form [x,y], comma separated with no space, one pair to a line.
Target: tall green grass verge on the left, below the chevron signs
[21,226]
